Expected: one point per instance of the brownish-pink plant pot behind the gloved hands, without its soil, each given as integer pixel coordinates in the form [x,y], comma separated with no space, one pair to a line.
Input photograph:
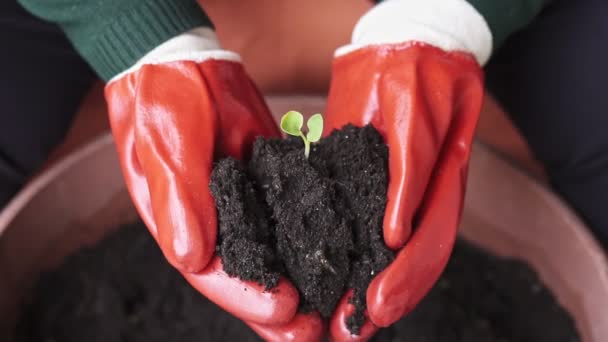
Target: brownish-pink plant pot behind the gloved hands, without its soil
[73,204]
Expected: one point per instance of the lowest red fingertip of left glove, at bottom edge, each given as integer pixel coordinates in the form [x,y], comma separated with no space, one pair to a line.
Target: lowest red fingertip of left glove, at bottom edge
[303,328]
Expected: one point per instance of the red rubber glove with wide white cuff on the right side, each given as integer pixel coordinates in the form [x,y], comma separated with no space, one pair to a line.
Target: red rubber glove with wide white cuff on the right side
[417,79]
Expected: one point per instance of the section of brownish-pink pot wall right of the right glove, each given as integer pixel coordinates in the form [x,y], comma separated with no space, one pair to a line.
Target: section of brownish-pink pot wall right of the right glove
[488,220]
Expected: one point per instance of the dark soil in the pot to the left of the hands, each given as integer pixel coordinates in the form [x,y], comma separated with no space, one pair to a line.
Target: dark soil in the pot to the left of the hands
[123,290]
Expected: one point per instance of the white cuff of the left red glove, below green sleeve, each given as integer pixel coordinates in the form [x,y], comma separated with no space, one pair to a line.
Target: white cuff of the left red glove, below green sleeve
[197,45]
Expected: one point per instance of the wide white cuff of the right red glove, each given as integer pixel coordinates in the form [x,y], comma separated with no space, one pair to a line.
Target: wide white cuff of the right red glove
[451,25]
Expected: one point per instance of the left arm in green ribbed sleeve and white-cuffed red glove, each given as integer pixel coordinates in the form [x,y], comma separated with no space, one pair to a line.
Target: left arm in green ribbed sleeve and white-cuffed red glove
[173,96]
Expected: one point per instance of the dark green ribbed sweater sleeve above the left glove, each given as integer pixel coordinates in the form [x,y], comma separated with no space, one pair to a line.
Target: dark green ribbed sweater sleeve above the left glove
[112,35]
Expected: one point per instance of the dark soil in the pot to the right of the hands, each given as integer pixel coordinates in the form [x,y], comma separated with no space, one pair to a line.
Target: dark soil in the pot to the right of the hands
[483,298]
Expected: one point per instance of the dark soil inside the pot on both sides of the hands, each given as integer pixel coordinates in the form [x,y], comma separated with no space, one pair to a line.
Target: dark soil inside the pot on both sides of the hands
[123,290]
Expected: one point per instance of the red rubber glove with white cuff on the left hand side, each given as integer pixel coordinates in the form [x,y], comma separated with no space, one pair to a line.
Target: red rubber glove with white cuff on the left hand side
[182,106]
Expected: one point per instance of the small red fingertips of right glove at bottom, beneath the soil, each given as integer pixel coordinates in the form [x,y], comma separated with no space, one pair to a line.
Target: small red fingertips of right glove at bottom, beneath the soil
[338,328]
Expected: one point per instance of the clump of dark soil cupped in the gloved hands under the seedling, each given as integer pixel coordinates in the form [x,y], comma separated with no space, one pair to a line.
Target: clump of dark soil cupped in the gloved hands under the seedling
[318,221]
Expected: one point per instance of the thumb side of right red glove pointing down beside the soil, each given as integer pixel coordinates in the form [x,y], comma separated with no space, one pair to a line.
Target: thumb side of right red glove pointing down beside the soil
[406,102]
